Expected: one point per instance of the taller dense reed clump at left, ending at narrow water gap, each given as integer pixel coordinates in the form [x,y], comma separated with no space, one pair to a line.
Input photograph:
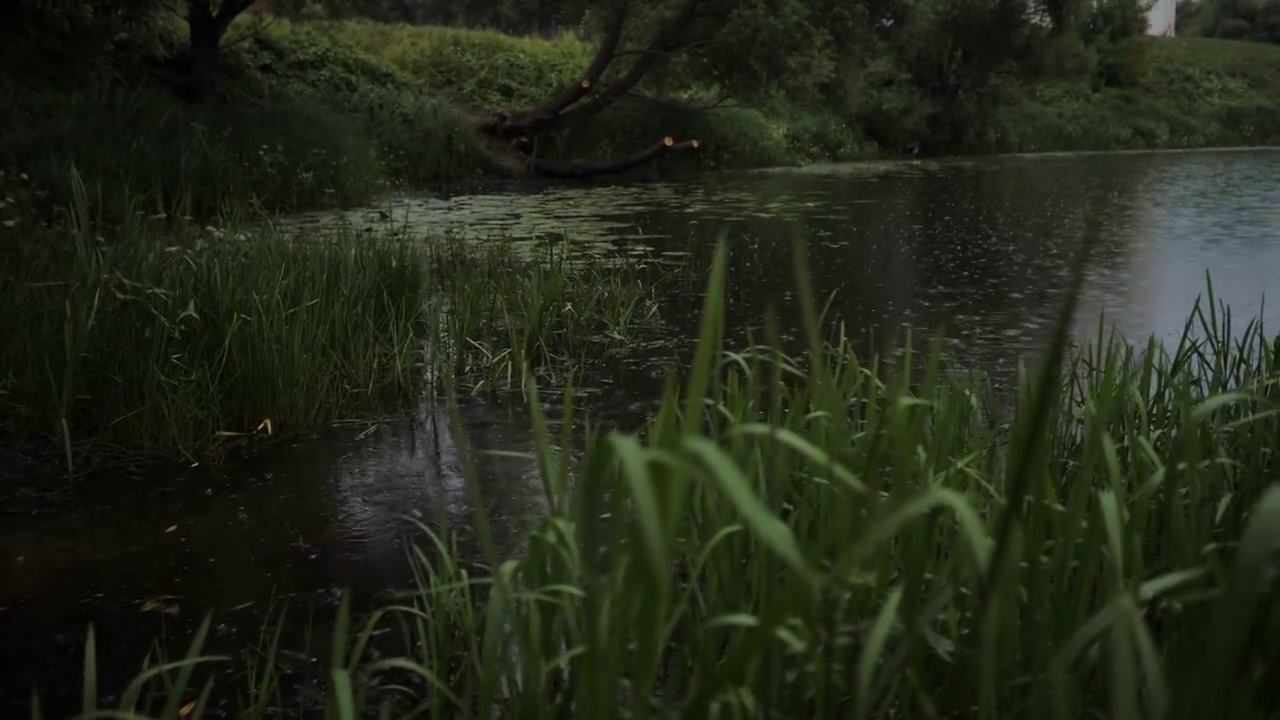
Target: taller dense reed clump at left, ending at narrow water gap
[163,336]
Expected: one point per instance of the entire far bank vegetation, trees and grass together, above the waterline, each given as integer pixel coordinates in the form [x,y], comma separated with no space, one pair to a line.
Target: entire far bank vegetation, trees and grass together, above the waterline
[327,103]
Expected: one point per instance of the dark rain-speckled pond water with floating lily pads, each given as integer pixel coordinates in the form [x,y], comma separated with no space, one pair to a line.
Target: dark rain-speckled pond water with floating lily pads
[980,248]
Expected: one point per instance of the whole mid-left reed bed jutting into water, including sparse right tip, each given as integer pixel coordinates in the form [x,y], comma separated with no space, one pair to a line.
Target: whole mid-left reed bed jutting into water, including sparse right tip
[167,336]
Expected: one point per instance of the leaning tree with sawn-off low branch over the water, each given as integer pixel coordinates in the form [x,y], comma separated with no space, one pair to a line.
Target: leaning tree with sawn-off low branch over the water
[730,47]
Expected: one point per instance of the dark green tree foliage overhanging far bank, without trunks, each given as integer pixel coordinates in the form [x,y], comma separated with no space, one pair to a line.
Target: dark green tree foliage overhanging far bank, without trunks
[921,71]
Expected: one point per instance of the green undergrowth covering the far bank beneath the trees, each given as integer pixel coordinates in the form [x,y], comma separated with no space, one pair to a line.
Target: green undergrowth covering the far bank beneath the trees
[333,112]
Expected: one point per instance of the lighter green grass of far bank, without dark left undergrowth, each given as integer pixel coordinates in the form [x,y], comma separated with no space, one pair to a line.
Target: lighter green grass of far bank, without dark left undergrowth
[1178,93]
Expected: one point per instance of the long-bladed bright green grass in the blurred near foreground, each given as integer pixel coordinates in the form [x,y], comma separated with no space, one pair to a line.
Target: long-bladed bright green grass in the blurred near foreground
[820,537]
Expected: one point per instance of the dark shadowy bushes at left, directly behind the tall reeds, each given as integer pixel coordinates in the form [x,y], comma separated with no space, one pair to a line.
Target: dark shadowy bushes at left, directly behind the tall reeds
[286,153]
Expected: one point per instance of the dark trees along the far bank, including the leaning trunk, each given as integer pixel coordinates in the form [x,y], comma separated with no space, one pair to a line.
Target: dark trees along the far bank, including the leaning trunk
[904,71]
